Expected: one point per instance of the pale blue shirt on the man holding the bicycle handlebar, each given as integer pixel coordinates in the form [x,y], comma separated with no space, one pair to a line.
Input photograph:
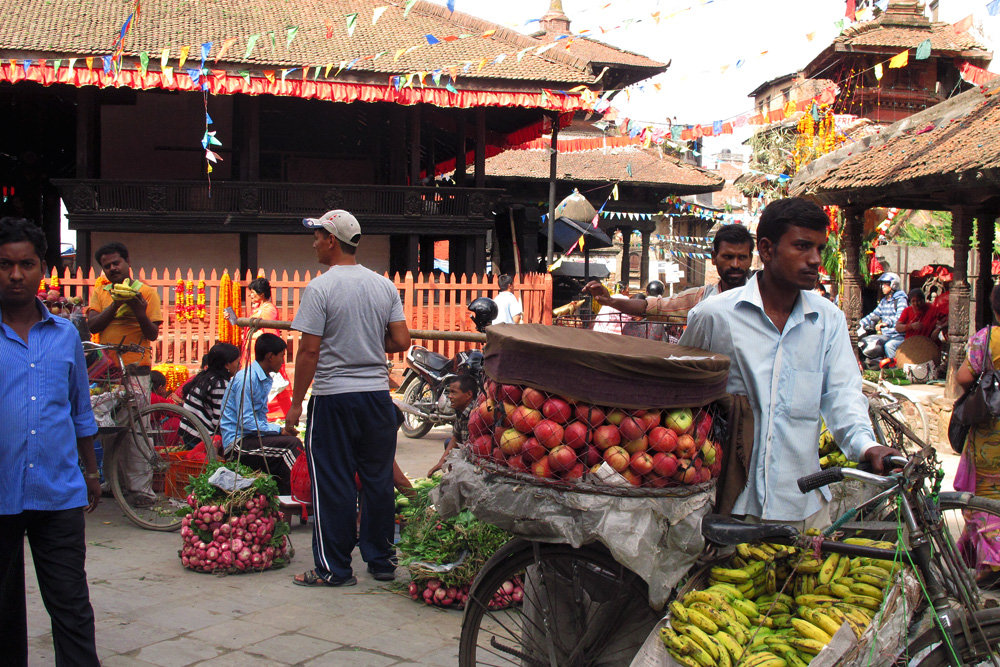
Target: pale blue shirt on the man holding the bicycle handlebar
[792,378]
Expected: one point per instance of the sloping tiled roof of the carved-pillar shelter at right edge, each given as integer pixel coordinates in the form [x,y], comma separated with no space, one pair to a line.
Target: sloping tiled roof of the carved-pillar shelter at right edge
[948,147]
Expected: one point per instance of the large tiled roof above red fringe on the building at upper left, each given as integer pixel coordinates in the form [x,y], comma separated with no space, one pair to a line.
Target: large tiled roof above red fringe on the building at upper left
[89,27]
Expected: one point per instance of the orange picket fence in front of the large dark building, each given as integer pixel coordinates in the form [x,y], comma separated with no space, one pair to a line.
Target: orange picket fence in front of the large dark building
[428,303]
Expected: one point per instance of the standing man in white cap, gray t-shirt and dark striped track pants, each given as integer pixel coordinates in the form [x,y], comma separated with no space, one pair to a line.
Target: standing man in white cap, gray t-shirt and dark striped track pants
[350,318]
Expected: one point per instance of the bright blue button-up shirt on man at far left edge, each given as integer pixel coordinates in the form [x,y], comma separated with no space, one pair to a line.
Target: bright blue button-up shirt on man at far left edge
[45,407]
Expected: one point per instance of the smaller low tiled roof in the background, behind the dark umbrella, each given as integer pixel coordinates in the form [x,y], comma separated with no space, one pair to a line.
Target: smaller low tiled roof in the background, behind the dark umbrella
[648,167]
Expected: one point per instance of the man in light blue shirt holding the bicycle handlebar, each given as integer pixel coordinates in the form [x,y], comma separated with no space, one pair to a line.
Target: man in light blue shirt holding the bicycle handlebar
[791,355]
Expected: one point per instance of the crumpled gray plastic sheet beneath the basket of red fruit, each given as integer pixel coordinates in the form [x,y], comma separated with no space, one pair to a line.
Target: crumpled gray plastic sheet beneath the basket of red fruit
[657,538]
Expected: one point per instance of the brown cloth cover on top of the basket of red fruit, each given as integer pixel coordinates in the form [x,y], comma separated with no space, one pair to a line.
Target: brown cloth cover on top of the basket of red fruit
[605,369]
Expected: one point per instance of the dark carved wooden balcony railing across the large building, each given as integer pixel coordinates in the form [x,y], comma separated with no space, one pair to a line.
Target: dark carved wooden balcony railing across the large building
[228,206]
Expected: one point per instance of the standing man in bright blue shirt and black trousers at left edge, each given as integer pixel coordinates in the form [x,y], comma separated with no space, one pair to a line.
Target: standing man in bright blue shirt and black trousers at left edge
[46,430]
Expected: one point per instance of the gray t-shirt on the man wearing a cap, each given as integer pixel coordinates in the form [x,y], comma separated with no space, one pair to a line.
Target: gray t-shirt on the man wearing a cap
[350,307]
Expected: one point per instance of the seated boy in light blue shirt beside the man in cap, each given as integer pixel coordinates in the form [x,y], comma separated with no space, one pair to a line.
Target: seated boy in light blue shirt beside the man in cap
[247,436]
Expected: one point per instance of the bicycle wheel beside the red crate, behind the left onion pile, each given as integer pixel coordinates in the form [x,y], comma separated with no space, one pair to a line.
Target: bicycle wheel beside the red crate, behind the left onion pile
[147,472]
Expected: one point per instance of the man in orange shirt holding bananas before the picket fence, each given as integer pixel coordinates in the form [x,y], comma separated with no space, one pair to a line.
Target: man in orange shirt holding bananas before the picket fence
[136,321]
